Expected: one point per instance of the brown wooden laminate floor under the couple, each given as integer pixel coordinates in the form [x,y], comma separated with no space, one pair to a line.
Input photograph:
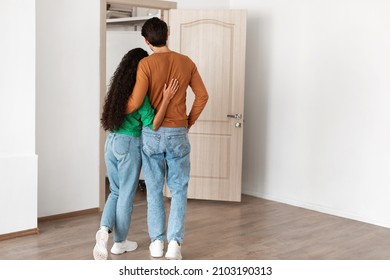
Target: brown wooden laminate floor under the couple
[251,230]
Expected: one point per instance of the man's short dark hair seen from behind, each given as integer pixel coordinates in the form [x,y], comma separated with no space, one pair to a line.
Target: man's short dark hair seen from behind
[155,31]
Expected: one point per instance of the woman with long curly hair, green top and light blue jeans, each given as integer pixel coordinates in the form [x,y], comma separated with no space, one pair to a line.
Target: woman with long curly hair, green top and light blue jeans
[122,152]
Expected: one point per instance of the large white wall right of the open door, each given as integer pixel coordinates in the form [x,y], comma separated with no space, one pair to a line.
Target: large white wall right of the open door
[317,123]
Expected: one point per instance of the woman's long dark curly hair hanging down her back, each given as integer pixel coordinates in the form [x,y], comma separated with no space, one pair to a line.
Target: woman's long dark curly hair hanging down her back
[120,89]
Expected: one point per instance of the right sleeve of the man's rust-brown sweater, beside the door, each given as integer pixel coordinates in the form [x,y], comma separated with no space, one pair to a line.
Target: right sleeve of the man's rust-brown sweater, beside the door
[201,96]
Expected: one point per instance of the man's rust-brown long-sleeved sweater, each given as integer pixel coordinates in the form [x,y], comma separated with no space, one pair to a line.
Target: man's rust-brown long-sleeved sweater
[158,69]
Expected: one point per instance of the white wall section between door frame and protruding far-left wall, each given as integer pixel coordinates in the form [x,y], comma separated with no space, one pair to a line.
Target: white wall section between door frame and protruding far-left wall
[68,105]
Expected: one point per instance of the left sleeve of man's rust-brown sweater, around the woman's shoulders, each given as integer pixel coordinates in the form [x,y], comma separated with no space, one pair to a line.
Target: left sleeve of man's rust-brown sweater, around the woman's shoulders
[140,89]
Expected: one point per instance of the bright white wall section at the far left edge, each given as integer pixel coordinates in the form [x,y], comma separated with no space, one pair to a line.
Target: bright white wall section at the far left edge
[18,161]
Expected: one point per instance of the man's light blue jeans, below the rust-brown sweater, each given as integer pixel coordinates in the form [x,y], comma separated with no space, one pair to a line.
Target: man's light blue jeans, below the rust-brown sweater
[166,155]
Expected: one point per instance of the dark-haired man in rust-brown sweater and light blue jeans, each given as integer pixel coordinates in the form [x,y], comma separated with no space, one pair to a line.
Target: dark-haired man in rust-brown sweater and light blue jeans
[166,152]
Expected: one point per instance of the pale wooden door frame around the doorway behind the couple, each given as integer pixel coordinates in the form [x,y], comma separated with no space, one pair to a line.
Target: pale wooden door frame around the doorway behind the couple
[164,6]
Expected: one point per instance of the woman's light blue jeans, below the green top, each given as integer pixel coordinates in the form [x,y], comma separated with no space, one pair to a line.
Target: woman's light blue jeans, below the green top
[122,155]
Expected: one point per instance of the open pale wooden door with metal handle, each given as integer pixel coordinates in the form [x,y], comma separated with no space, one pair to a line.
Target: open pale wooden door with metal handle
[215,41]
